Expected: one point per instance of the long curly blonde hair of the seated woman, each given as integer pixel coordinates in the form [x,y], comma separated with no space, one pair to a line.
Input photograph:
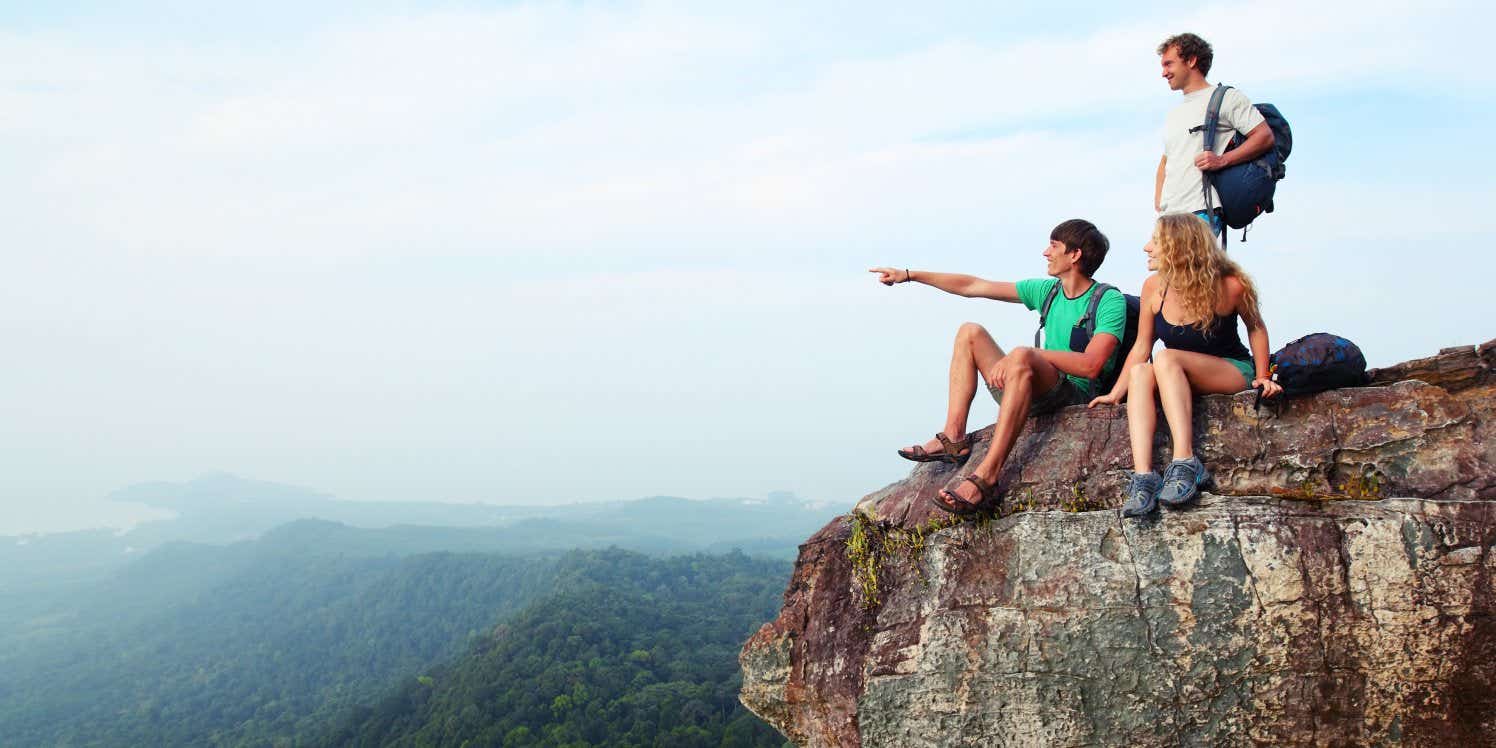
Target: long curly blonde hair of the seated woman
[1193,266]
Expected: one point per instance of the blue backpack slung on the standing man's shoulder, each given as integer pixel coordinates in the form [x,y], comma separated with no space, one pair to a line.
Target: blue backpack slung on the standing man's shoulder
[1247,189]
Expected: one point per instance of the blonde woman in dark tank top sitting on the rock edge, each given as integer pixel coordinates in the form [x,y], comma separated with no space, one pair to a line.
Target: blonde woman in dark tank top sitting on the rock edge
[1192,303]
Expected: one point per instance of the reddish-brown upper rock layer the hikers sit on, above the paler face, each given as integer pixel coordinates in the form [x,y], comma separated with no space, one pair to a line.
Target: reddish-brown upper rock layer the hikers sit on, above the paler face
[1397,439]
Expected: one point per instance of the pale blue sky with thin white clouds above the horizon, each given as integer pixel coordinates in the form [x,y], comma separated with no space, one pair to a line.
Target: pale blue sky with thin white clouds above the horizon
[577,252]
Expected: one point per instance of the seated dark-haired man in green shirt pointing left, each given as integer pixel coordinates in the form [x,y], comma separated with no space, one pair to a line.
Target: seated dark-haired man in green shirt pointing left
[1030,381]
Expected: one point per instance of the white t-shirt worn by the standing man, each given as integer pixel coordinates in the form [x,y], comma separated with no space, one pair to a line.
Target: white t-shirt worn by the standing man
[1184,188]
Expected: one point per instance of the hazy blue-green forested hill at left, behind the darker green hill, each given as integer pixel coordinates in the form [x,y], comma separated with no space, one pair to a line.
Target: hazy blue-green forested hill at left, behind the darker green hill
[242,646]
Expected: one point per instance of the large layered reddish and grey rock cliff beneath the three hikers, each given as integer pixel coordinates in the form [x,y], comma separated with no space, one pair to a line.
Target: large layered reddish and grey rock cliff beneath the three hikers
[1292,607]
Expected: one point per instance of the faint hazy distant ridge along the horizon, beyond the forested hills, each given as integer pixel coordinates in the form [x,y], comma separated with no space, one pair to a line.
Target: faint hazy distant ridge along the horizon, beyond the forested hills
[222,509]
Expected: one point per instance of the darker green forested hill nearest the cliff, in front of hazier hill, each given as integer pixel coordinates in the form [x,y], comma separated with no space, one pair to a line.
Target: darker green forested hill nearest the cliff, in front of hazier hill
[629,652]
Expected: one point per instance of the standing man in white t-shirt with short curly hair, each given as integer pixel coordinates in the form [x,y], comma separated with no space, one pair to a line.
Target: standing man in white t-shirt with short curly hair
[1181,180]
